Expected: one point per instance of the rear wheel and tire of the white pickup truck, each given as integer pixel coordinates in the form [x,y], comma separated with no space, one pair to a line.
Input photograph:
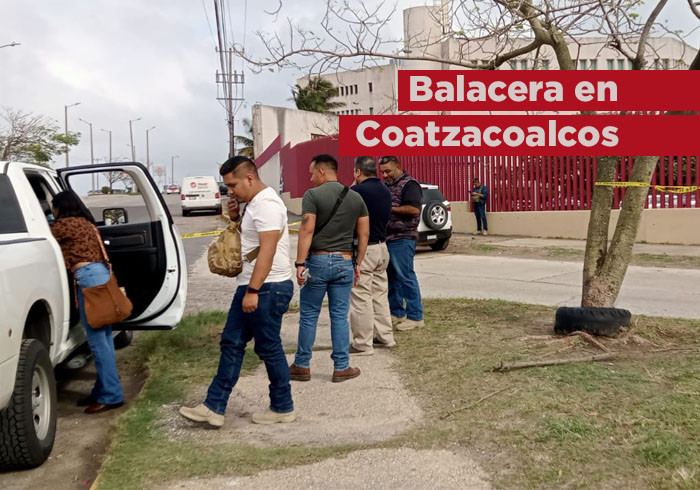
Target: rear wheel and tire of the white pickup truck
[28,424]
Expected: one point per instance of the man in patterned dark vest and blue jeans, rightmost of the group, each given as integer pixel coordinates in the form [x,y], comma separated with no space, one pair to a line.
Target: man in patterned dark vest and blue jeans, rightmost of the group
[402,235]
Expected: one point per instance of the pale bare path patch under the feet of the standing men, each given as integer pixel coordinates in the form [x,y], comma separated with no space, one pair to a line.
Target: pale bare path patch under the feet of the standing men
[371,408]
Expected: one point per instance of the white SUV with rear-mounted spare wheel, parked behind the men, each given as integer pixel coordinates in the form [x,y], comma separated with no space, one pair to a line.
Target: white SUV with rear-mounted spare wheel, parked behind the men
[435,227]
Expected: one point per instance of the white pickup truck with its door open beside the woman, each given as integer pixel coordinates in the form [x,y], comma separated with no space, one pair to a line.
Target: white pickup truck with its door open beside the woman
[39,324]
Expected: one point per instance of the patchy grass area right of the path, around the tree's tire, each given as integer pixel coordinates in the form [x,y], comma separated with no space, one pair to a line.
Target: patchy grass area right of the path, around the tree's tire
[628,424]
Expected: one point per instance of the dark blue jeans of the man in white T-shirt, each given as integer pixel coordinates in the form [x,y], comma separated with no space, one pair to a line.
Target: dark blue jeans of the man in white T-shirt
[264,326]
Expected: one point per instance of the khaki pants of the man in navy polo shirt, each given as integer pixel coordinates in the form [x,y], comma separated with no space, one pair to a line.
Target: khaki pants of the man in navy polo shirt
[369,304]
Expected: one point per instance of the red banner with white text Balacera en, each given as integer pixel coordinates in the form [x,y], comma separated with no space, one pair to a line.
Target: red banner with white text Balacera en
[548,90]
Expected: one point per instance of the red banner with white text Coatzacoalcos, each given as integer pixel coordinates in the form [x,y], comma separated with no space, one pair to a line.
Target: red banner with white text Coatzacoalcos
[519,135]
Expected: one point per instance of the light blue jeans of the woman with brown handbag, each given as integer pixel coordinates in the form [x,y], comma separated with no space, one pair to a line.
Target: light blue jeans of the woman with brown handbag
[107,388]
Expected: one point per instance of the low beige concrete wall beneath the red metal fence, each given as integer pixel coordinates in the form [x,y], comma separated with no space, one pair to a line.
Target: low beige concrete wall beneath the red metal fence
[657,226]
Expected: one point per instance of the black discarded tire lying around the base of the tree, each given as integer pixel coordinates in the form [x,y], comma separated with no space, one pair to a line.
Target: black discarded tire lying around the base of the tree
[596,321]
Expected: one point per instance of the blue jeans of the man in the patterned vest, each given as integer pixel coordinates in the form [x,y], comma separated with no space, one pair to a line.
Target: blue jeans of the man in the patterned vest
[404,292]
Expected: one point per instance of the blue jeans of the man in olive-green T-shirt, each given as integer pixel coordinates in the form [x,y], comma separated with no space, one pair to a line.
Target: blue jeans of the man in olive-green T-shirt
[332,274]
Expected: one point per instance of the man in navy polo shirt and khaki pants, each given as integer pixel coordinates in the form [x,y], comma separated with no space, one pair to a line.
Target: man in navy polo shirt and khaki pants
[370,318]
